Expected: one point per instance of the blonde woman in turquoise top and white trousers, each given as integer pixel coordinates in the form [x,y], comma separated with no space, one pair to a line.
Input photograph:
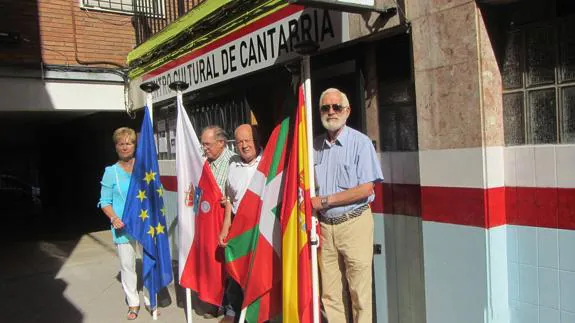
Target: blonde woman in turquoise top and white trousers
[115,184]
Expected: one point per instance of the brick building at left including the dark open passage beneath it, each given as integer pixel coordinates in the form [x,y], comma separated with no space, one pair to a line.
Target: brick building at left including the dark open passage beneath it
[63,92]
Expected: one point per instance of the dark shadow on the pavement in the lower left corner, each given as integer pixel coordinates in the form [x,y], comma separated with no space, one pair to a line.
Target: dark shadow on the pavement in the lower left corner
[29,288]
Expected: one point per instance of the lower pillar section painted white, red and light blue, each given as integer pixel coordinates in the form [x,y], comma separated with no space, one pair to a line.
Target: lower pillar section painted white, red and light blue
[460,255]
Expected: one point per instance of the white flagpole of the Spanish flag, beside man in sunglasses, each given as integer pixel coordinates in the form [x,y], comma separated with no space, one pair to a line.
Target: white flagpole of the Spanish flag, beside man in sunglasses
[307,48]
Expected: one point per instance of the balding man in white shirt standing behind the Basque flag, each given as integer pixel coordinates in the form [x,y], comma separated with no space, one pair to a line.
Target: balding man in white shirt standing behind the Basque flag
[242,169]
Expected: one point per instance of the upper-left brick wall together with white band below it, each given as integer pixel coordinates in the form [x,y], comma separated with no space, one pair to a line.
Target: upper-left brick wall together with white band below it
[57,53]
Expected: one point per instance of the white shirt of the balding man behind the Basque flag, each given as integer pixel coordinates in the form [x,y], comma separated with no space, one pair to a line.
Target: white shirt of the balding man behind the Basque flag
[239,176]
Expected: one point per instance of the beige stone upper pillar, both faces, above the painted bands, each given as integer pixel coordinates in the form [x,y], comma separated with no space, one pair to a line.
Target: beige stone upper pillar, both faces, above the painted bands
[457,79]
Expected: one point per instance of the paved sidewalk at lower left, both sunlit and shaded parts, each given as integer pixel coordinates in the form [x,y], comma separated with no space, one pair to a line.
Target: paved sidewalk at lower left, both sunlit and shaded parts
[70,281]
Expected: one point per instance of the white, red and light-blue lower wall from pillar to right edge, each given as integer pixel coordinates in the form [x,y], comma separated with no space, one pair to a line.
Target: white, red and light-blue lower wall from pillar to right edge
[474,204]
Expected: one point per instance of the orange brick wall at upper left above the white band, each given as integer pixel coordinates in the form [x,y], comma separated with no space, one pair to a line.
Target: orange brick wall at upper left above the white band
[47,28]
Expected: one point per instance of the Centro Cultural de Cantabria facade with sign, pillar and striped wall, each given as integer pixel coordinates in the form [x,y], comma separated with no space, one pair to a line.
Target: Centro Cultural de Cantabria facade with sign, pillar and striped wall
[470,106]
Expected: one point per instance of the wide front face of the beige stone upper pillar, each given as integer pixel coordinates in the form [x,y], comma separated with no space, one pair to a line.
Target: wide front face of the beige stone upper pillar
[446,66]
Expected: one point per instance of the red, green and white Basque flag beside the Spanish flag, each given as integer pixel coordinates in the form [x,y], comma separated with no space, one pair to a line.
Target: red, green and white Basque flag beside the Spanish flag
[253,253]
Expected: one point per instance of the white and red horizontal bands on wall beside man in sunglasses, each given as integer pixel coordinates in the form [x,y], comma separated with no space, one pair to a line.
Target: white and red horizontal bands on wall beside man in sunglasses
[525,185]
